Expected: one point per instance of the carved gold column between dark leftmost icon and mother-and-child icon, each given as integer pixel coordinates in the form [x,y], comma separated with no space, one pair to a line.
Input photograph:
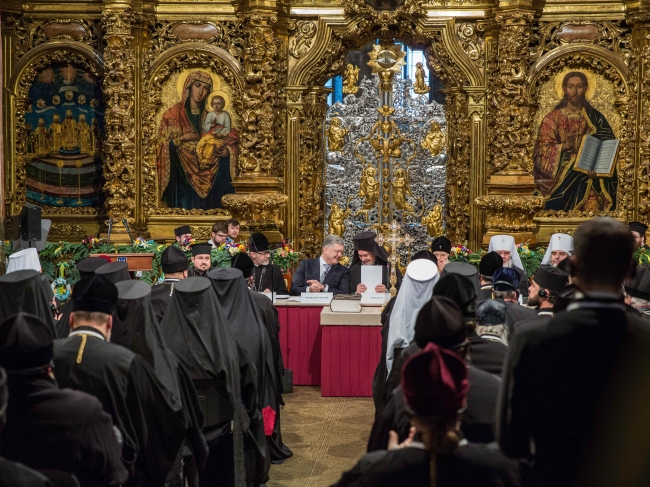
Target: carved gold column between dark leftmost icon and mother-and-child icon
[118,152]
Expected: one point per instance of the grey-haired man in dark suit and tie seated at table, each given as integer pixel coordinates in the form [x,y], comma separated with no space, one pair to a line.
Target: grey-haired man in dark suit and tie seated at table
[323,274]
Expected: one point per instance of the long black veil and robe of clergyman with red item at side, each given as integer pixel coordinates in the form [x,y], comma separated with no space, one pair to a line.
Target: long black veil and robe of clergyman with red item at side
[253,340]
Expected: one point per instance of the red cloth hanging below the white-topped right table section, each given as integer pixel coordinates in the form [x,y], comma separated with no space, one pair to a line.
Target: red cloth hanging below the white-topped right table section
[349,357]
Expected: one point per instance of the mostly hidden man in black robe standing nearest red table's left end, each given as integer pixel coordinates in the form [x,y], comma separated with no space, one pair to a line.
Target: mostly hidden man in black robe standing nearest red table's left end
[278,450]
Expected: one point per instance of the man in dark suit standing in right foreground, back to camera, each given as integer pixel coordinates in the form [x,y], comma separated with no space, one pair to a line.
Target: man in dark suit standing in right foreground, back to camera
[560,378]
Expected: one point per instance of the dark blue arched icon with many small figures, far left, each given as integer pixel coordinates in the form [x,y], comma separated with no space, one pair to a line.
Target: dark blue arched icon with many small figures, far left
[64,125]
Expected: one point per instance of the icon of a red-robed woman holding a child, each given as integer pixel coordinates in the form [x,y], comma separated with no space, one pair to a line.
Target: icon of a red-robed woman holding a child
[197,144]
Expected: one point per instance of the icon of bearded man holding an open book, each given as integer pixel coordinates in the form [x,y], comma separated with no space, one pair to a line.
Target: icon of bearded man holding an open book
[575,153]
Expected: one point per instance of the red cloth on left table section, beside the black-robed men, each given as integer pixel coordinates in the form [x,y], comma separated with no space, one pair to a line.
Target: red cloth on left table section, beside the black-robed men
[300,341]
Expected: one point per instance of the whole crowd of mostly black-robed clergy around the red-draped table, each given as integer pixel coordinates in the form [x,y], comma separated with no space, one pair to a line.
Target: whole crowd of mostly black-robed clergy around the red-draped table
[486,378]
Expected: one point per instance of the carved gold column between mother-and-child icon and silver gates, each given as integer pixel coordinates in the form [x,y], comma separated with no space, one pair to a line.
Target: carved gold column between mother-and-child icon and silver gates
[258,199]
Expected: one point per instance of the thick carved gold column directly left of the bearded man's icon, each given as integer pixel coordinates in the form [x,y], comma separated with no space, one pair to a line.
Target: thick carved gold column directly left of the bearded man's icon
[510,204]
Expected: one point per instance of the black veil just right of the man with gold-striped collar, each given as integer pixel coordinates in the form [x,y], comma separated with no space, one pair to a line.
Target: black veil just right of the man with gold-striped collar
[135,327]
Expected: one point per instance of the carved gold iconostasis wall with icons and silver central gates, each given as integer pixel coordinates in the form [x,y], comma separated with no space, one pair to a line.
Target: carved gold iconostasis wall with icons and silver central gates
[189,112]
